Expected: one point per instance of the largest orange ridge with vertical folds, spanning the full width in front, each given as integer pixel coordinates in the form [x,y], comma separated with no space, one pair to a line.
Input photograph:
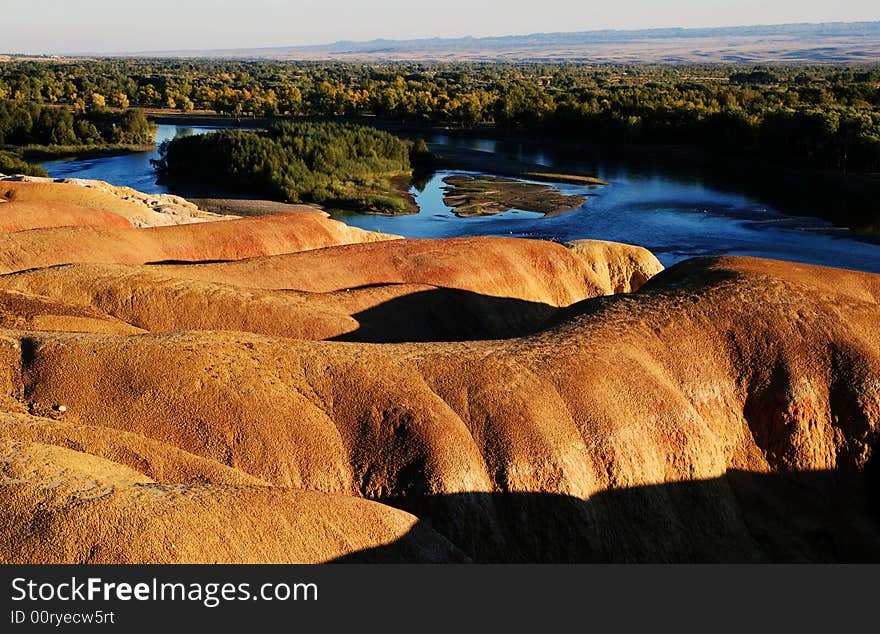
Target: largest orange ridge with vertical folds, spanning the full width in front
[720,365]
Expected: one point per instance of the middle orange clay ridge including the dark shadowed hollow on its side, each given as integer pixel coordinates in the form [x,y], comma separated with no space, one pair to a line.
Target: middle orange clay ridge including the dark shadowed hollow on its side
[412,291]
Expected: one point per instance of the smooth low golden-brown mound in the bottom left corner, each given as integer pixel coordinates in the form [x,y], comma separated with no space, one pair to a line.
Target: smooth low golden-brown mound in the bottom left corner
[97,511]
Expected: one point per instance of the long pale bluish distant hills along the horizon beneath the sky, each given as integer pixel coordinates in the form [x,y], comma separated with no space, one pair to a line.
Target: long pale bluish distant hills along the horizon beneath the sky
[856,42]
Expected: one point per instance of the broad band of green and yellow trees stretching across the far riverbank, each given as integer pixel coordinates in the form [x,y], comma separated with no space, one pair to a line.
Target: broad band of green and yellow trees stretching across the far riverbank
[824,116]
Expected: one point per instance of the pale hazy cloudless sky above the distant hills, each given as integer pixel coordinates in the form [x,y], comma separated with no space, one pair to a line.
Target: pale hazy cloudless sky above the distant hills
[71,26]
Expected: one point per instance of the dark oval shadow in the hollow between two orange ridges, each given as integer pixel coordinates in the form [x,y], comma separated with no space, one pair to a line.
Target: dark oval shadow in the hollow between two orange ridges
[445,314]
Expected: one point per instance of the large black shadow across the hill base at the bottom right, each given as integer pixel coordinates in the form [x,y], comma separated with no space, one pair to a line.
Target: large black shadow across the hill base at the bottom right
[823,516]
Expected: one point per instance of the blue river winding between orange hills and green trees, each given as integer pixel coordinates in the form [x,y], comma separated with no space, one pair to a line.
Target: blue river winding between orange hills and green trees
[675,214]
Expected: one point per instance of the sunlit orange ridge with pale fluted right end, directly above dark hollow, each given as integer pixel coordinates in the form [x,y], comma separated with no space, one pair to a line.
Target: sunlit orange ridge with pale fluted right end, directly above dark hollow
[530,270]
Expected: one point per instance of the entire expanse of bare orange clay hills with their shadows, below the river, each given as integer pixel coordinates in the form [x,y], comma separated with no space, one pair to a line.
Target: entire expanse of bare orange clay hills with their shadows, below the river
[289,389]
